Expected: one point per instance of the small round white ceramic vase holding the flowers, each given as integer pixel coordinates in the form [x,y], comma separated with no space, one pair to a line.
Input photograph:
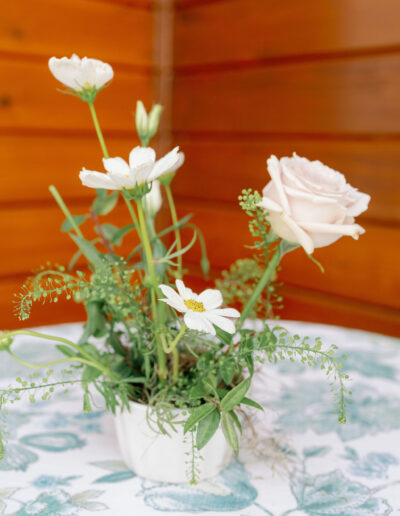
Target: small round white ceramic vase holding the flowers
[166,458]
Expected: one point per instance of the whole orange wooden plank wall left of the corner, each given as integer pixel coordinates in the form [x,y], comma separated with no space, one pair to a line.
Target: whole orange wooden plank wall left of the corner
[47,137]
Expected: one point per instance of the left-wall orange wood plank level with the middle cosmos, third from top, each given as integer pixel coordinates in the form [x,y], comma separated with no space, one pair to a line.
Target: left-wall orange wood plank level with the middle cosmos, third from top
[31,163]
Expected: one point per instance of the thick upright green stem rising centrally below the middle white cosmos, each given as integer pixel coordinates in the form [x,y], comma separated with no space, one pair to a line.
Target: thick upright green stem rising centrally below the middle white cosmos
[162,362]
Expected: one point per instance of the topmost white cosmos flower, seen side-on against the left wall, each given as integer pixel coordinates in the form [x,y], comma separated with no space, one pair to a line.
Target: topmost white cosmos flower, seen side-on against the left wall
[79,74]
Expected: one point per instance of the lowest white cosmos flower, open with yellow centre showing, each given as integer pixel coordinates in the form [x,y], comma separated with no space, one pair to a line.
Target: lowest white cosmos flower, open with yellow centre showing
[201,311]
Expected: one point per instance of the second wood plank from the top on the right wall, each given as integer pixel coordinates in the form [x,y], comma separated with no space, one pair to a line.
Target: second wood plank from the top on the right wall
[339,96]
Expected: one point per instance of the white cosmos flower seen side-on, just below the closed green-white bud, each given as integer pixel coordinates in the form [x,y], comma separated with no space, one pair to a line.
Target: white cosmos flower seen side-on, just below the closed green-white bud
[142,168]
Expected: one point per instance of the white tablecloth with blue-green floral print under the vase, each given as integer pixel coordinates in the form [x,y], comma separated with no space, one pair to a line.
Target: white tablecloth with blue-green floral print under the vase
[60,461]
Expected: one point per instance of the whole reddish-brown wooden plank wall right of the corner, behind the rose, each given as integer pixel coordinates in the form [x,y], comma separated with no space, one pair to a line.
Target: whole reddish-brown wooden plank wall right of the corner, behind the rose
[254,78]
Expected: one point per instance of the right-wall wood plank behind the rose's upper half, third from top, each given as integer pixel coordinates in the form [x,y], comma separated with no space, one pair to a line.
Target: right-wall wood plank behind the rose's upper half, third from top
[219,170]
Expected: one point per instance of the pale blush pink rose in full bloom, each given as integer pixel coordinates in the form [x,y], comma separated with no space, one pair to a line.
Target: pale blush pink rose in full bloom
[311,204]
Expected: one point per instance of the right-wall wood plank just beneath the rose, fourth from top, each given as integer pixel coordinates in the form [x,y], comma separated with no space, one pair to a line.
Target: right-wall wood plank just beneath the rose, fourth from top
[361,270]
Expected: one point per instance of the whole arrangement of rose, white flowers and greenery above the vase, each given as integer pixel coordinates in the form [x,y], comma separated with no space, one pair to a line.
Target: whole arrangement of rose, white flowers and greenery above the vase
[148,337]
